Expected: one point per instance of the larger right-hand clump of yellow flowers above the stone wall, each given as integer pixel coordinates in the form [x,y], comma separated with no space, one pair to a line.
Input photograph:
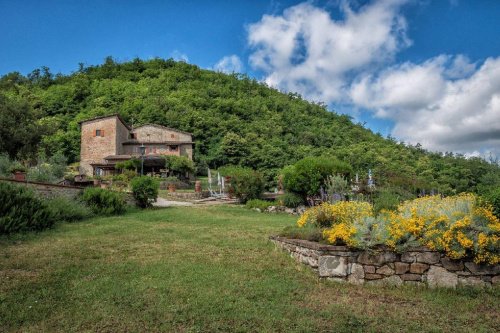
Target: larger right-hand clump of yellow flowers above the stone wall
[456,225]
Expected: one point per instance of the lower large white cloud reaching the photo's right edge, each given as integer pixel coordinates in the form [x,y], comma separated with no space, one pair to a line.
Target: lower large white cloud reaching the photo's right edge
[431,106]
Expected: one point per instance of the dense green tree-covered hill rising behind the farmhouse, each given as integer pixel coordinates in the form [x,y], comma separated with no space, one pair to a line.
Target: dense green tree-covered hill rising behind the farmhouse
[234,120]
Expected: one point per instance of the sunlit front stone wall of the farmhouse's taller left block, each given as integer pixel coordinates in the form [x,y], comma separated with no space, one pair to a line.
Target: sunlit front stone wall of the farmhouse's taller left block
[95,148]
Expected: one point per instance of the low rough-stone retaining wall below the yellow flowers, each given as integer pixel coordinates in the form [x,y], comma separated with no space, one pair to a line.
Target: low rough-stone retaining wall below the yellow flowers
[418,266]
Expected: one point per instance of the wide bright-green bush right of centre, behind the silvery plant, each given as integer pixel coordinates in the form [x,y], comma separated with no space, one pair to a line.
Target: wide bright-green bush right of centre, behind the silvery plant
[308,175]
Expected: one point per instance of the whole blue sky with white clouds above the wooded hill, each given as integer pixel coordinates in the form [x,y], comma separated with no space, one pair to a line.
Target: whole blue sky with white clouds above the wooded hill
[423,71]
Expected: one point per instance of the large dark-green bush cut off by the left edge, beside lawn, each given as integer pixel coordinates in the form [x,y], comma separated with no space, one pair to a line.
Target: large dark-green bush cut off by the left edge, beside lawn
[22,210]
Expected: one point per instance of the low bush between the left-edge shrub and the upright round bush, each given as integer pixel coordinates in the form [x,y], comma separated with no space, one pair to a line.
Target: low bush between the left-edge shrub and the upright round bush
[104,202]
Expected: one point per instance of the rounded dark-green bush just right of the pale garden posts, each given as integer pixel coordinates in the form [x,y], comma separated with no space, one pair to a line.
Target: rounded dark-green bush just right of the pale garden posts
[246,184]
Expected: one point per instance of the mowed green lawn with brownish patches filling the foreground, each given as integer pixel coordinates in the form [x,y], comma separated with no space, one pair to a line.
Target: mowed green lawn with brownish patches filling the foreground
[204,269]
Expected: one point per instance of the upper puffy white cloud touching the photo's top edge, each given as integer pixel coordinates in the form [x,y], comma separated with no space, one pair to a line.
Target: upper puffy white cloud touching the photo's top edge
[306,51]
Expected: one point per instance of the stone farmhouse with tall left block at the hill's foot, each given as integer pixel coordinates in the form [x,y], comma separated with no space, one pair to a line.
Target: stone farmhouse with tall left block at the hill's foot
[108,140]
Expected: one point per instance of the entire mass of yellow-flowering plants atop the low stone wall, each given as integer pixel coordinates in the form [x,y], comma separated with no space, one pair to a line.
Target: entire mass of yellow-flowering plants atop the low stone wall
[460,226]
